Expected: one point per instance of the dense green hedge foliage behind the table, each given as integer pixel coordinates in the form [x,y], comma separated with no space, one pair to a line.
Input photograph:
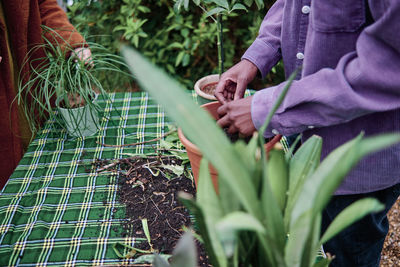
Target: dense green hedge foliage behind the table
[183,44]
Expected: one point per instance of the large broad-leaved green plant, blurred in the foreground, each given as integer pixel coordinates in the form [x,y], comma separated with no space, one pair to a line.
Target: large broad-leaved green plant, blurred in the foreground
[268,211]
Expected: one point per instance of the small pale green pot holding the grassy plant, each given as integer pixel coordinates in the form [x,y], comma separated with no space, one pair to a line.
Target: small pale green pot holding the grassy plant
[82,121]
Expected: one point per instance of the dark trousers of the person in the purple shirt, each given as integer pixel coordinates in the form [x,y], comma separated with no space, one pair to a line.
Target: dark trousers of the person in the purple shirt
[361,243]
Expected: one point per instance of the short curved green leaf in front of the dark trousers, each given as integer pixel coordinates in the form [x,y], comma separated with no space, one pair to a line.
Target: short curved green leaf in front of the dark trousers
[349,215]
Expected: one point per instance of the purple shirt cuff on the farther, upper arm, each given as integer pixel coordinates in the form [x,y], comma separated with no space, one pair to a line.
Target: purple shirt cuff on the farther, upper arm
[262,55]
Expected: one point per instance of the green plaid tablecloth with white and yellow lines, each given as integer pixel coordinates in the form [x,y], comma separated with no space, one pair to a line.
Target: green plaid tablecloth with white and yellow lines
[55,211]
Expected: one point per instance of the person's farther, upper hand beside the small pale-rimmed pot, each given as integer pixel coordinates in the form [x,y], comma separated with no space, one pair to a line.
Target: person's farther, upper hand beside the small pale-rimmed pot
[232,84]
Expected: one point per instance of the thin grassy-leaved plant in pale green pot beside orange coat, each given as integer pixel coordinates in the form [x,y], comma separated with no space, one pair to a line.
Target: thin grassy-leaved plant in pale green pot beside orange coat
[60,76]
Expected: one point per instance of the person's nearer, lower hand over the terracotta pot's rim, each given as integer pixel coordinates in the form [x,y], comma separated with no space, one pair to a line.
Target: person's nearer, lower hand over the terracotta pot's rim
[237,116]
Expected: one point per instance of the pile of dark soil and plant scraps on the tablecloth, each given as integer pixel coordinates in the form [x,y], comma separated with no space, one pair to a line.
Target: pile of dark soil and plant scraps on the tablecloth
[148,187]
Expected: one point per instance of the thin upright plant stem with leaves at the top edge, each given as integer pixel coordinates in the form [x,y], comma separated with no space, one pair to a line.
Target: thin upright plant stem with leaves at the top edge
[215,9]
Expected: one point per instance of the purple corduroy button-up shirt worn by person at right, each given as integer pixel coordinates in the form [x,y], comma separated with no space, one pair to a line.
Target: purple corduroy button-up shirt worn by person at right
[349,51]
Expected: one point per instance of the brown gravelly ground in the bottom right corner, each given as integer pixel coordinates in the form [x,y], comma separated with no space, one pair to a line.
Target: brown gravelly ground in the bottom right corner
[391,250]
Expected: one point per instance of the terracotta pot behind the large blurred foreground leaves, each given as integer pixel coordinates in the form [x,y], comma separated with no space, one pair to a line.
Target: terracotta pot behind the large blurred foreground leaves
[195,155]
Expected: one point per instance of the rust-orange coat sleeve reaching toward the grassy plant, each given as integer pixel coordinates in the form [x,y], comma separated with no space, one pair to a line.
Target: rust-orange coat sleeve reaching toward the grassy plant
[55,18]
